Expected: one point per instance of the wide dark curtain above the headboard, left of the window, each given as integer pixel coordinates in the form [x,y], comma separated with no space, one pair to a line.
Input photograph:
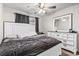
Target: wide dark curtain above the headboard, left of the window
[21,18]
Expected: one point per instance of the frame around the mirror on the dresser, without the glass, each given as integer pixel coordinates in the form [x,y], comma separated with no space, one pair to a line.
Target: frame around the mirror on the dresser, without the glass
[71,22]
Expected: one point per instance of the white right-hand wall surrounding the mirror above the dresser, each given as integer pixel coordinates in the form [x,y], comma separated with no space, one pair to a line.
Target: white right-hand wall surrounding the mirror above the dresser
[48,20]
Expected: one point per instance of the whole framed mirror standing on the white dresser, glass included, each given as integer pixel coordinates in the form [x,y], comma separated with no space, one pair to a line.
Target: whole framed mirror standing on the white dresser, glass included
[63,23]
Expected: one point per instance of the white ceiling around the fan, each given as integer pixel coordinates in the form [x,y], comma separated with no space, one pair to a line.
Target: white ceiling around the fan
[32,8]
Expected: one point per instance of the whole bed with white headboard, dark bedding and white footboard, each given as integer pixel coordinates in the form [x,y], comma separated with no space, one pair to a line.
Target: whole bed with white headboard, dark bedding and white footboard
[21,40]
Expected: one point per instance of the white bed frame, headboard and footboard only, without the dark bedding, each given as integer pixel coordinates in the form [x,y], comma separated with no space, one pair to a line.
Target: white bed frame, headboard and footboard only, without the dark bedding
[9,26]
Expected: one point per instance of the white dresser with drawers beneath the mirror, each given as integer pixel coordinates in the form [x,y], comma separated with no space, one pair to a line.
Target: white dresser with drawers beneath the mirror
[69,40]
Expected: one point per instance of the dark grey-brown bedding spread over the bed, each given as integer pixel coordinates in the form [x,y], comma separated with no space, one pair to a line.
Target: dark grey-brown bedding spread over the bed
[27,46]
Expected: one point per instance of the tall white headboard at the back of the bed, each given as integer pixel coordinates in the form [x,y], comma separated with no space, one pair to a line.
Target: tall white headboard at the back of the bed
[13,29]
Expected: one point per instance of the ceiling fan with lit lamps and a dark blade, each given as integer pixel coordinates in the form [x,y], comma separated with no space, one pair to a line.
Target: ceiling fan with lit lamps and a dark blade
[42,7]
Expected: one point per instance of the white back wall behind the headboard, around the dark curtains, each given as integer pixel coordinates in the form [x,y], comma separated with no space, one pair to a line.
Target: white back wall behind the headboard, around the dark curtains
[8,15]
